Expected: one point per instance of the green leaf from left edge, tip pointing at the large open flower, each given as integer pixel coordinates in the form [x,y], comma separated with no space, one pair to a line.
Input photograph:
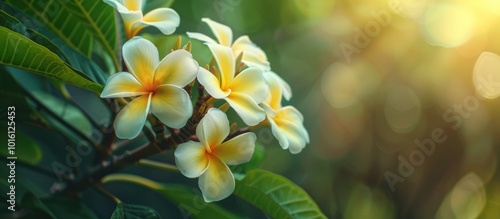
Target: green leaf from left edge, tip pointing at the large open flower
[21,52]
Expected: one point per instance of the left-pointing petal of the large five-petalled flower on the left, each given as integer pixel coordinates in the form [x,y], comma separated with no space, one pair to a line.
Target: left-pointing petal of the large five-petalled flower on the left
[122,84]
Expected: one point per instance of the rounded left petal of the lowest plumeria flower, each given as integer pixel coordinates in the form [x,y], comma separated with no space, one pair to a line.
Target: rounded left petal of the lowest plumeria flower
[191,158]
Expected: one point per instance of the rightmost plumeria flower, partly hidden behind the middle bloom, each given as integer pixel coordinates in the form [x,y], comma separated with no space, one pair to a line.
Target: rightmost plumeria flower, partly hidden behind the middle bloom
[286,122]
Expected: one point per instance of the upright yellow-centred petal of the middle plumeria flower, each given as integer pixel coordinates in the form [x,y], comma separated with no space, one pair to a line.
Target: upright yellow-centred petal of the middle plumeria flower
[225,60]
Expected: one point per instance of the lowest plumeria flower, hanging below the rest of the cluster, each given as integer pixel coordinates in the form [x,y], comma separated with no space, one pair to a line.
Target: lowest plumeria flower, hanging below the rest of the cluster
[208,158]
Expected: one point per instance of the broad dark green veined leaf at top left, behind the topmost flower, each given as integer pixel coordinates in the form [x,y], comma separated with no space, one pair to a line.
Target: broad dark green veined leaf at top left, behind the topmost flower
[78,23]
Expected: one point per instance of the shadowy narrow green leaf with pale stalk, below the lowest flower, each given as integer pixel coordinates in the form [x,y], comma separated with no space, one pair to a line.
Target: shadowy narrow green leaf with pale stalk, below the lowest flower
[181,195]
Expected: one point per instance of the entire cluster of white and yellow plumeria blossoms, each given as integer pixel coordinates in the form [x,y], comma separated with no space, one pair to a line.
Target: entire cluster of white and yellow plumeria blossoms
[157,87]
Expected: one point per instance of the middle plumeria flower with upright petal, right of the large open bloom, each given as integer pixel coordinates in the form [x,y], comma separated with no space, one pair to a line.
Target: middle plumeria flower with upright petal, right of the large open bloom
[243,92]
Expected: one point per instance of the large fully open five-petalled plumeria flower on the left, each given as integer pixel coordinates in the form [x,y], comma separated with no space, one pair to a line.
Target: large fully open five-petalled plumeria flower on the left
[156,85]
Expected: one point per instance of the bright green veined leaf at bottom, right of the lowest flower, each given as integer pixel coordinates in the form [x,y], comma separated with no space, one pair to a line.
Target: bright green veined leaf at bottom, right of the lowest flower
[276,196]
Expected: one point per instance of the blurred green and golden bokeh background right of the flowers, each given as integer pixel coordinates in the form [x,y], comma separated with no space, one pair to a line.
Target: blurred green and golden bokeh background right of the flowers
[371,78]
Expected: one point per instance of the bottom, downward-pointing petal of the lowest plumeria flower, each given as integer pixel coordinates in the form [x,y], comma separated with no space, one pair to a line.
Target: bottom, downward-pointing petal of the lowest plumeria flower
[217,182]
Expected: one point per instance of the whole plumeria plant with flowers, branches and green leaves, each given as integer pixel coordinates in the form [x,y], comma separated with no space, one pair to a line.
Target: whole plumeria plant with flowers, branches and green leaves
[63,59]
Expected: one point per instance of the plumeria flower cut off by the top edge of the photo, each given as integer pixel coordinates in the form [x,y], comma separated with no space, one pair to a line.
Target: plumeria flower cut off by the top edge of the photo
[165,19]
